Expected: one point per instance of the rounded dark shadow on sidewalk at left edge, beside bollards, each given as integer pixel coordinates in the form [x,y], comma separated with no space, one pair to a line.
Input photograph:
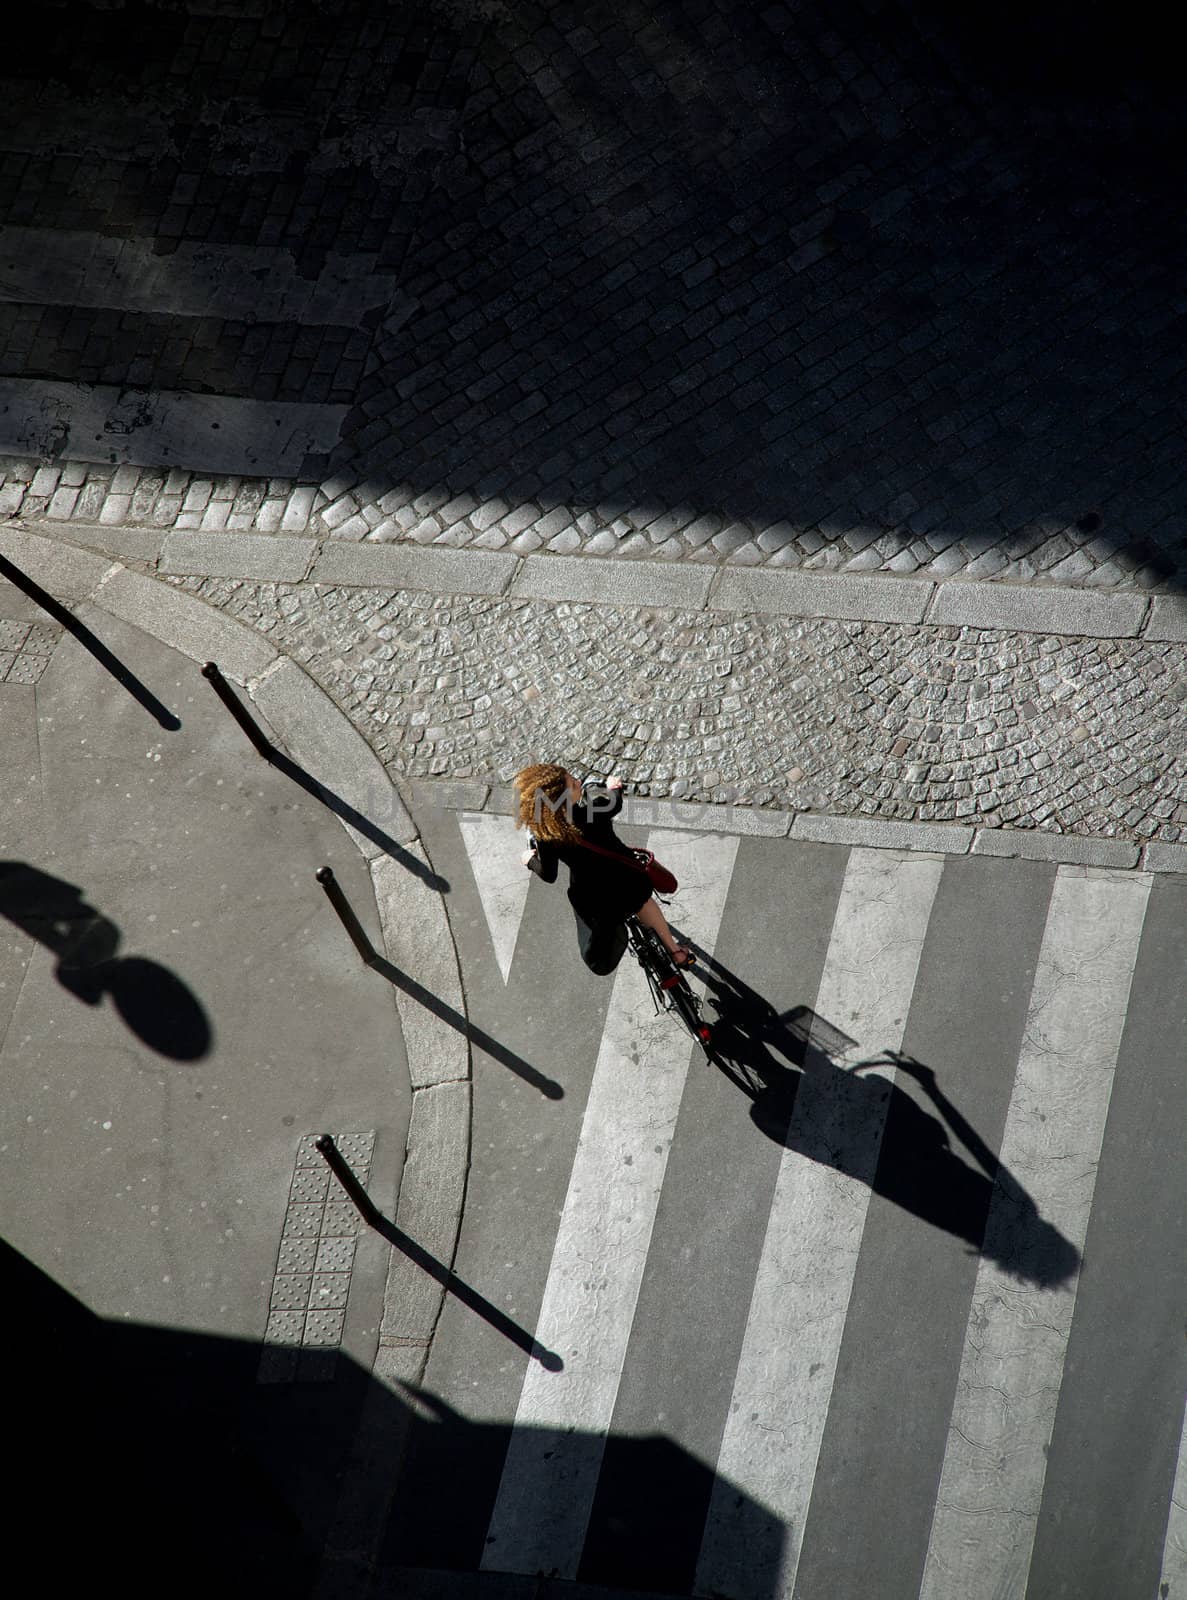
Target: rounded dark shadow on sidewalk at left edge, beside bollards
[153,1001]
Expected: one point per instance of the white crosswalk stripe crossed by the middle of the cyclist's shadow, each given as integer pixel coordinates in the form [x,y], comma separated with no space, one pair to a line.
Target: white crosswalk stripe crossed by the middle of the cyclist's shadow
[813,1231]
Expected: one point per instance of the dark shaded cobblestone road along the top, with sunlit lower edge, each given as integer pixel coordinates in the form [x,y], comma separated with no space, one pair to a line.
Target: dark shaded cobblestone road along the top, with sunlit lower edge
[857,286]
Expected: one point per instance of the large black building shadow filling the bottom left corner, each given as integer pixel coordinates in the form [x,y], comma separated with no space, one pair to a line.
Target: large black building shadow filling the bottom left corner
[185,1473]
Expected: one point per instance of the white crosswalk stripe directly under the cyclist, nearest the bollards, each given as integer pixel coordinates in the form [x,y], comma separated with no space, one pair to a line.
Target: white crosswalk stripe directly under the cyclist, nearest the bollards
[597,1263]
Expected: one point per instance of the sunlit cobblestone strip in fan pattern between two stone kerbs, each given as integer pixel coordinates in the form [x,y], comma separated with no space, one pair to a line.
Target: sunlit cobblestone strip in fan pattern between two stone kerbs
[1068,735]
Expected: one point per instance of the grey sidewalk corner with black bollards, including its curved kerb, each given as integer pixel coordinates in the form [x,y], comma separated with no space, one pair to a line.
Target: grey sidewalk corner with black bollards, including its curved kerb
[182,1015]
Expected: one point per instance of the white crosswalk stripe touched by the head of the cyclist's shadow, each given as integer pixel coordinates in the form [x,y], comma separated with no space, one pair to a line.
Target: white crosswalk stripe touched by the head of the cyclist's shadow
[994,1466]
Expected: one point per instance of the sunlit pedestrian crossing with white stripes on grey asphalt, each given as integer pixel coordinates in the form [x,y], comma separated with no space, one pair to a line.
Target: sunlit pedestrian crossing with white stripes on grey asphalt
[839,1311]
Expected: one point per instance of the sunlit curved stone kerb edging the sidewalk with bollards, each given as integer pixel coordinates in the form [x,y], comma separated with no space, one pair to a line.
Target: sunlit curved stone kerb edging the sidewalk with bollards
[412,916]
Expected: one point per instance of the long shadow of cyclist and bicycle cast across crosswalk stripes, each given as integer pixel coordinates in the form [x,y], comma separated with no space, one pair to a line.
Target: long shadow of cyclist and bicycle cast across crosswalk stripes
[773,1055]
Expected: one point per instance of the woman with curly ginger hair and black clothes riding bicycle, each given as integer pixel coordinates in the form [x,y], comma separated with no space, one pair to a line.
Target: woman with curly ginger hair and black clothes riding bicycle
[574,825]
